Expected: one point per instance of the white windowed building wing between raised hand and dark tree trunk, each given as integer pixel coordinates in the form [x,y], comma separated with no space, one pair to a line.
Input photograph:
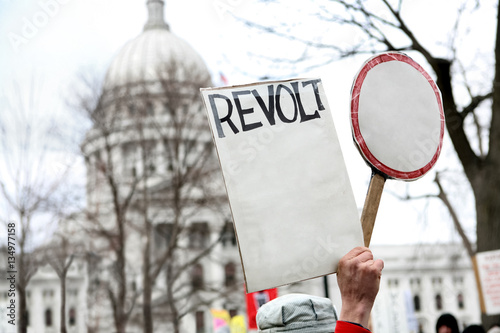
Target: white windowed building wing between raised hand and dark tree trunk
[421,282]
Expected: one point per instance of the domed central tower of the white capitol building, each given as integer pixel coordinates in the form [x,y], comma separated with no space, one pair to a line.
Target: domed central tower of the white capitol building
[163,244]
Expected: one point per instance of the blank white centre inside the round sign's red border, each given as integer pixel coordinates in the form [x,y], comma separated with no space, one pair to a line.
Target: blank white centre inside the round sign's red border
[399,116]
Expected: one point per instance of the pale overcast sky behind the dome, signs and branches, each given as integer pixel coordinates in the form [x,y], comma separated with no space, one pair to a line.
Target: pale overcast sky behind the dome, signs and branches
[56,39]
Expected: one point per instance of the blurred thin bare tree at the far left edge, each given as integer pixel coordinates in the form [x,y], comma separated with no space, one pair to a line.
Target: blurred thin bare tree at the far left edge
[31,186]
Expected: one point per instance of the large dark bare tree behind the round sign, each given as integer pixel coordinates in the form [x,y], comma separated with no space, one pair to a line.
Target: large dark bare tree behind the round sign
[385,25]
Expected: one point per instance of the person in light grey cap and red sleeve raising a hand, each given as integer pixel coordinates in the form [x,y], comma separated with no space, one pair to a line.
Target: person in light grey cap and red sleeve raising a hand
[358,277]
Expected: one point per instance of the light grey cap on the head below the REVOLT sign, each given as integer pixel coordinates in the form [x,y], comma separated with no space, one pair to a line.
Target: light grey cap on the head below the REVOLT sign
[297,313]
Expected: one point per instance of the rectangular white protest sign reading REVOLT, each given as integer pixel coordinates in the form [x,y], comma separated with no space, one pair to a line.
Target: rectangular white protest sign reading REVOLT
[290,196]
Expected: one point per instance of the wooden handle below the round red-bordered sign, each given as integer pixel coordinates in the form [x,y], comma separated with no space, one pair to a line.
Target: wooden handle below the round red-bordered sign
[371,206]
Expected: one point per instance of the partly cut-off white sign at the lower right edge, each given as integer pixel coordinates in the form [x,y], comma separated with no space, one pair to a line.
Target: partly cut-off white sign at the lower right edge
[488,265]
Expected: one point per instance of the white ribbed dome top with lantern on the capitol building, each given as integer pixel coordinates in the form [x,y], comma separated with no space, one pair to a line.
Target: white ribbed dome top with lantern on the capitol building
[154,54]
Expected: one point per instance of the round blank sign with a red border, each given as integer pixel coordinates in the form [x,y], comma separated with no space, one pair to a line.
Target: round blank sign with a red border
[397,116]
